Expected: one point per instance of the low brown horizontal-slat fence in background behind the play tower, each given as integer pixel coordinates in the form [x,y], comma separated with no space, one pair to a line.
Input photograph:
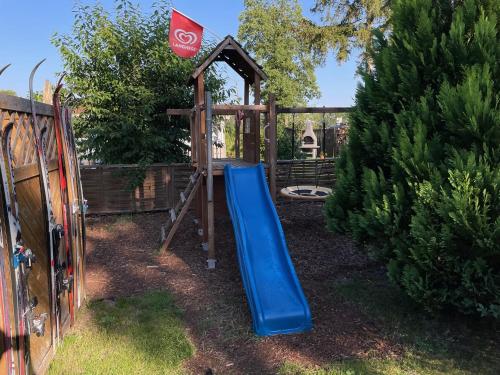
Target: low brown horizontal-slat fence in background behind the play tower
[108,190]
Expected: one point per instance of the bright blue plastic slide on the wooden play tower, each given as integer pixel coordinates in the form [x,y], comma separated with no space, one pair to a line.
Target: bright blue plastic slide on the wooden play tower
[276,299]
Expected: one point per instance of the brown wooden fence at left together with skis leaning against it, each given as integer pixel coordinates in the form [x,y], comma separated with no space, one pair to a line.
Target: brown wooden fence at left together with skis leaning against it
[43,232]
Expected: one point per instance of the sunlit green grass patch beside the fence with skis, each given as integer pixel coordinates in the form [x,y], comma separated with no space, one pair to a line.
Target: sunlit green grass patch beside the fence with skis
[133,335]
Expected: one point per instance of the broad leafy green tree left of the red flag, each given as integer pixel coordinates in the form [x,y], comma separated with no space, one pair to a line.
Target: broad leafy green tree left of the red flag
[124,76]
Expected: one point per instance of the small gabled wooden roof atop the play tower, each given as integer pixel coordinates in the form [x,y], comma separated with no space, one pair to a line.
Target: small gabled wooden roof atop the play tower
[232,53]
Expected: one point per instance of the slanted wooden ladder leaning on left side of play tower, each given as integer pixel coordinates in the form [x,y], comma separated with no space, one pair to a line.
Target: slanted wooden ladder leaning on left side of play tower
[179,211]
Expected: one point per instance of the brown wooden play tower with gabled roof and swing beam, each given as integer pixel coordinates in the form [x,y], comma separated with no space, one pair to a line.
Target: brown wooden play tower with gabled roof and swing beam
[207,183]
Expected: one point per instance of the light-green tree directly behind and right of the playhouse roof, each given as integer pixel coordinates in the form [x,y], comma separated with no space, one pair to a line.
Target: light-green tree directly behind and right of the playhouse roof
[271,30]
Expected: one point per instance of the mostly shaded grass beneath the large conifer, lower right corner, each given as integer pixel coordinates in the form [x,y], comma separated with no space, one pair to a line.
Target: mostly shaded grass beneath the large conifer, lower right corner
[431,344]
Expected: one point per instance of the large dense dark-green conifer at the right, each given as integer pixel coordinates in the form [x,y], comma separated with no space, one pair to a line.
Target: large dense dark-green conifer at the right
[419,181]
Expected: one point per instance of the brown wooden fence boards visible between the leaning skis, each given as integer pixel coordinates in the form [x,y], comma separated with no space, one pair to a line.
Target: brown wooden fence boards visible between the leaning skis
[33,219]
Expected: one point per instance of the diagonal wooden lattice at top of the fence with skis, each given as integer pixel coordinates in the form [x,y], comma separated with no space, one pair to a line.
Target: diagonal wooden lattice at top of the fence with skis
[23,138]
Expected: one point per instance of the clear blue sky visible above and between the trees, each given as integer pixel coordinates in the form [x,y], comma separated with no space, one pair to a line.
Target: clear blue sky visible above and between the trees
[30,24]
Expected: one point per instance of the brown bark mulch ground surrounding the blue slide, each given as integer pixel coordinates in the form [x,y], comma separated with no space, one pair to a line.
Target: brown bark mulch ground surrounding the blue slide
[122,260]
